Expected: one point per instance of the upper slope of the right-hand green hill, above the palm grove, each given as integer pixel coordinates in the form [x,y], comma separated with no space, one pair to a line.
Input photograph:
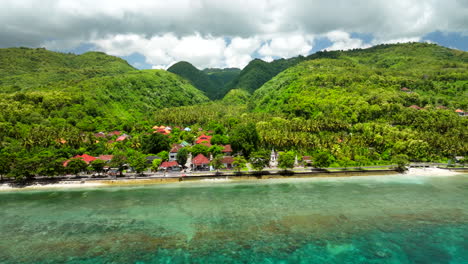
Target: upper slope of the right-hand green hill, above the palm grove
[436,76]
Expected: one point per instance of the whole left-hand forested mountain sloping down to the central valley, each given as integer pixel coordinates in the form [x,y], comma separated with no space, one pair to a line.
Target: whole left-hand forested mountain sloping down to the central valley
[91,92]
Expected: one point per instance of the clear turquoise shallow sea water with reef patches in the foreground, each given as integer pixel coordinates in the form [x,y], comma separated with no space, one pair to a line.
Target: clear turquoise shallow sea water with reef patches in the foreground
[385,219]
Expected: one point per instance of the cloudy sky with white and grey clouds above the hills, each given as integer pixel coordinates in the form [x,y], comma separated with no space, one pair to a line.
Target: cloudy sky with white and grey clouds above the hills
[227,33]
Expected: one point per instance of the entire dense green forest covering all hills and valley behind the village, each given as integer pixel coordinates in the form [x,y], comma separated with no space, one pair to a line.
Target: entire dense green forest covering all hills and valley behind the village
[345,108]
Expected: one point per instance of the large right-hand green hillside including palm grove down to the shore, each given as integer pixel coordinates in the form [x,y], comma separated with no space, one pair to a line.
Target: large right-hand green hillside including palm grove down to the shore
[382,101]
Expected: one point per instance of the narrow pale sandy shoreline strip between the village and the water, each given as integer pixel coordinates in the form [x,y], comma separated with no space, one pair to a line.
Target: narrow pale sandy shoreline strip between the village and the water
[89,183]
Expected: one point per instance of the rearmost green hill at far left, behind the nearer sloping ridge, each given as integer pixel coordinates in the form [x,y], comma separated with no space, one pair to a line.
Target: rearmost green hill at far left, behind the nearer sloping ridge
[25,68]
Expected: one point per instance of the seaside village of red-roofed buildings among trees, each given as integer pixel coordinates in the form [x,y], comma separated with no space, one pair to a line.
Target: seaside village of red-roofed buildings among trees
[182,158]
